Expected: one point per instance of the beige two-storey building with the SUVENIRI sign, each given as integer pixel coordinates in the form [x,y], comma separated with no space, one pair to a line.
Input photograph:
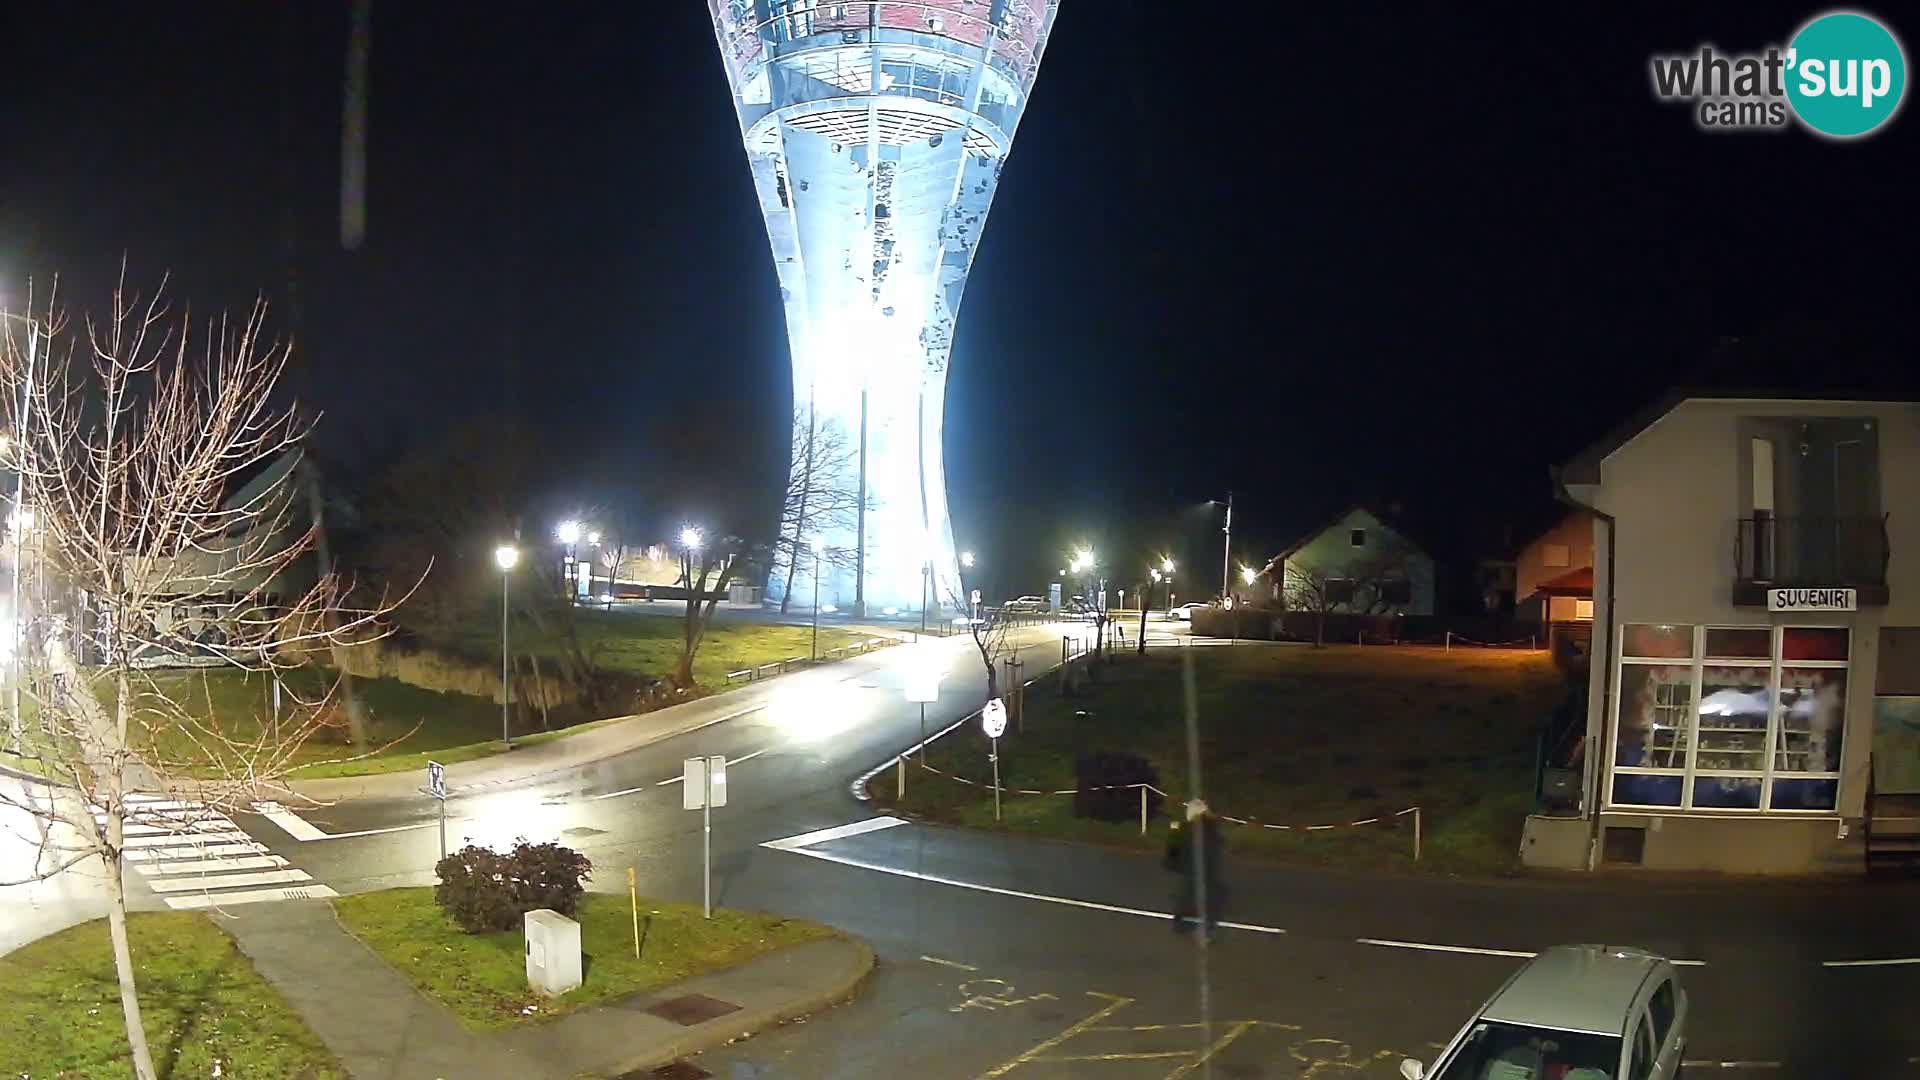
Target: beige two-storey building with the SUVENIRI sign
[1756,604]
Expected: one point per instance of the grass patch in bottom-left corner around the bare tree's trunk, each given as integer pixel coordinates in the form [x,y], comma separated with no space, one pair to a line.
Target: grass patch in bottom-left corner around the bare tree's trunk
[203,1002]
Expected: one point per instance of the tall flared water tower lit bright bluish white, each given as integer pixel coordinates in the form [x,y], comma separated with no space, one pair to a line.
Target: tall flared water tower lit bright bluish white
[876,132]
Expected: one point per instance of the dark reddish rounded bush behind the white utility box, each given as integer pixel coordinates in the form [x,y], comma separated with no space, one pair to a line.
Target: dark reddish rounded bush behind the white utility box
[485,891]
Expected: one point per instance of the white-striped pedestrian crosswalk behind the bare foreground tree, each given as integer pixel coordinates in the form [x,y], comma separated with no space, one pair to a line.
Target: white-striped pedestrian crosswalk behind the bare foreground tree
[197,858]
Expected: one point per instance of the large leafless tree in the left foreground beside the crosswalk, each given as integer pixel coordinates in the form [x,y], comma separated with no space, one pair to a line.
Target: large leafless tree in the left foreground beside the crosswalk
[128,468]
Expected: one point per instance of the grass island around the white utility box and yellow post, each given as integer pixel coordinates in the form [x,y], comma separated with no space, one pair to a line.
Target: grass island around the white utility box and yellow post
[483,977]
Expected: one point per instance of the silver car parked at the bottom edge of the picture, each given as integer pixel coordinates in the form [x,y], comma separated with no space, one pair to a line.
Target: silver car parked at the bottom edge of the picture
[1573,1014]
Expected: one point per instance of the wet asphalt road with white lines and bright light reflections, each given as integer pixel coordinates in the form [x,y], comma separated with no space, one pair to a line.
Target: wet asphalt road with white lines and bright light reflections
[1017,958]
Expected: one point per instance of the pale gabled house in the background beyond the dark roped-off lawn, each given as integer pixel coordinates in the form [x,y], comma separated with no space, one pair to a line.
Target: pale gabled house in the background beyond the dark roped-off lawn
[1355,566]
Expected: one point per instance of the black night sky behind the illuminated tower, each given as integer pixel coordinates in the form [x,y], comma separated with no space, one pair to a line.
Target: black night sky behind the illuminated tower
[1308,253]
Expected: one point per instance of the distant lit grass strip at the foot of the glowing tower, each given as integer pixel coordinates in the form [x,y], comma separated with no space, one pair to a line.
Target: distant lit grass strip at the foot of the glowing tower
[650,643]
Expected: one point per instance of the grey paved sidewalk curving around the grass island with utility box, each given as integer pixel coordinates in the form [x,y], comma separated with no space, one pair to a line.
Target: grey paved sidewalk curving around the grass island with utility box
[383,1029]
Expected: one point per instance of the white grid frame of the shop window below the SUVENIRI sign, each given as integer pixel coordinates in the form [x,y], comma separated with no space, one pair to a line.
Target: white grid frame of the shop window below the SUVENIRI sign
[1692,772]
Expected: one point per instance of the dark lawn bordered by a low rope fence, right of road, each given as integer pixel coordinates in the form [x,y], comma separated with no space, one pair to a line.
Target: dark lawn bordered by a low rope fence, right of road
[1289,735]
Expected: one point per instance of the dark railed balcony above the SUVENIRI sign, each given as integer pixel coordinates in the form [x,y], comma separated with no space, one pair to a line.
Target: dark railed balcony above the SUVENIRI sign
[1812,552]
